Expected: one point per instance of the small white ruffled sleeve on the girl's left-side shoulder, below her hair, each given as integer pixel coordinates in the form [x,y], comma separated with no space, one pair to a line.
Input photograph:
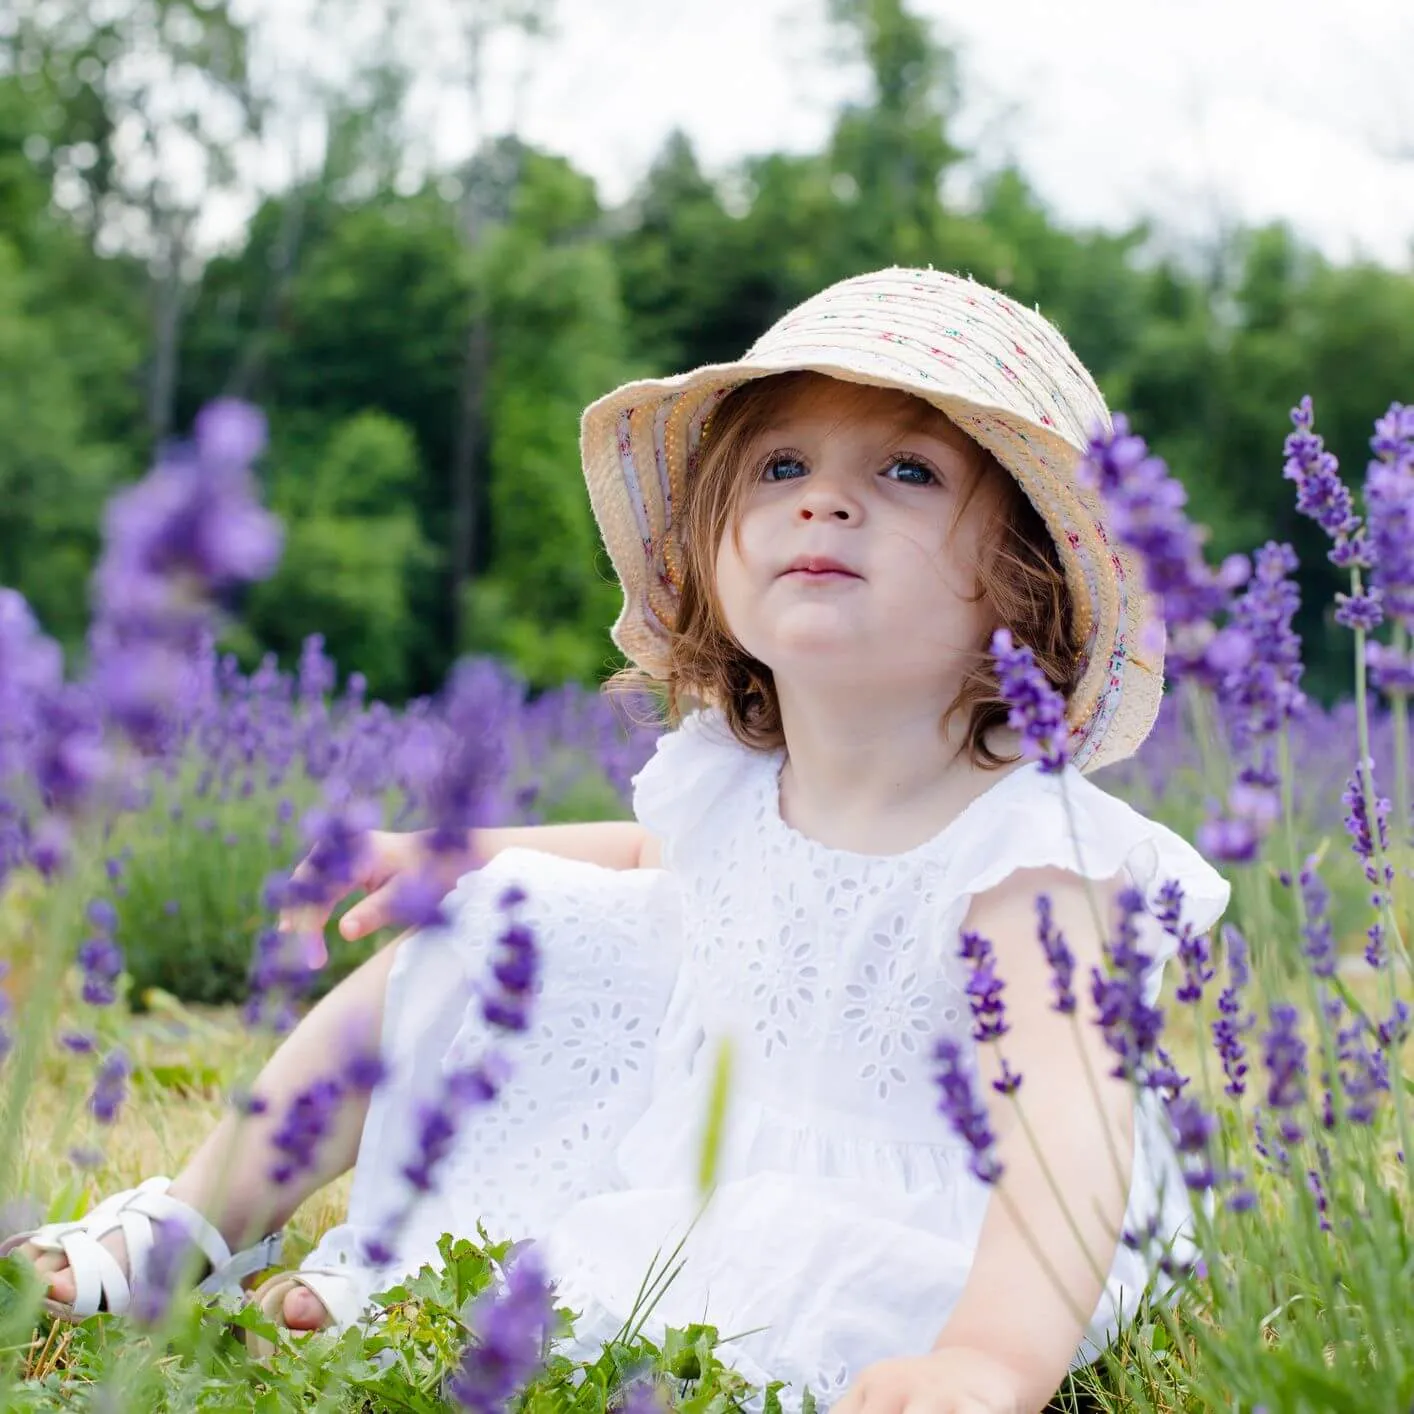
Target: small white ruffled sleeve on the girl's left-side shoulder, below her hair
[694,777]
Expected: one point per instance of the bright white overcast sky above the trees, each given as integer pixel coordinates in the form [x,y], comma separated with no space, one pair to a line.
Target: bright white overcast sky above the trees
[1198,112]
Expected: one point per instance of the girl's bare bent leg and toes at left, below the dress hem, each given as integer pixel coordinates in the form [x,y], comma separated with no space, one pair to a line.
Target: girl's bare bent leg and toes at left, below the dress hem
[228,1177]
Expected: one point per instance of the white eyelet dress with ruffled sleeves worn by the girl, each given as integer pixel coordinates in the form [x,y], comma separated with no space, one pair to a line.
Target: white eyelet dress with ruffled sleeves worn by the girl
[846,1220]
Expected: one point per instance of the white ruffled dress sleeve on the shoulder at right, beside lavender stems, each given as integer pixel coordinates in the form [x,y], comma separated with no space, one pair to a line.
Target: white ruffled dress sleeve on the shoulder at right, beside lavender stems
[1067,822]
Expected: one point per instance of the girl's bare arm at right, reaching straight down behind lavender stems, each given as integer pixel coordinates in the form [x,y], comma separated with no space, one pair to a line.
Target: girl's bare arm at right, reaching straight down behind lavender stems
[1034,1286]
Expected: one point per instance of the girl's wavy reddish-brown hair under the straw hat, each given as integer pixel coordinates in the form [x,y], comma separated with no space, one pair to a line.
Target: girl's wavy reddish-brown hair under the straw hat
[1019,575]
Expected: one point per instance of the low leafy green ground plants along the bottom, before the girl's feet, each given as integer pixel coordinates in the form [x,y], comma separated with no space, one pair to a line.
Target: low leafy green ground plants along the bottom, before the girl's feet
[398,1362]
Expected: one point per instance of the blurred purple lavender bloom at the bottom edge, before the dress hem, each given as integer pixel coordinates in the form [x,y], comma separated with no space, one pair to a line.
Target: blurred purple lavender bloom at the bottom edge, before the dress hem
[510,1330]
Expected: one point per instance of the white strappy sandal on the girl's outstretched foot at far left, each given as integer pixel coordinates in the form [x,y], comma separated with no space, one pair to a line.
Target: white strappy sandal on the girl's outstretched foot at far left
[100,1280]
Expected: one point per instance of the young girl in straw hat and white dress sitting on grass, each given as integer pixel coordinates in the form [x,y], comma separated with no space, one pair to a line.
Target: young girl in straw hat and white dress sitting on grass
[815,547]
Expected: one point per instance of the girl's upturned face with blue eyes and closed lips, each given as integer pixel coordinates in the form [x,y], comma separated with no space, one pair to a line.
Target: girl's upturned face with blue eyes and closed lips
[855,555]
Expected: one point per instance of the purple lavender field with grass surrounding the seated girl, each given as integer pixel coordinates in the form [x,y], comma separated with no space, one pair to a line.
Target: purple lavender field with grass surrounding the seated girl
[156,798]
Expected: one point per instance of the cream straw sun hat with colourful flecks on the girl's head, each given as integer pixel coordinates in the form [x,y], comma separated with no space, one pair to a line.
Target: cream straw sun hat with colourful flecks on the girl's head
[999,371]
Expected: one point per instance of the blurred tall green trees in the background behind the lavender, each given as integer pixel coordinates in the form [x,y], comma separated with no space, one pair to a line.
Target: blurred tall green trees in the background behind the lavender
[351,298]
